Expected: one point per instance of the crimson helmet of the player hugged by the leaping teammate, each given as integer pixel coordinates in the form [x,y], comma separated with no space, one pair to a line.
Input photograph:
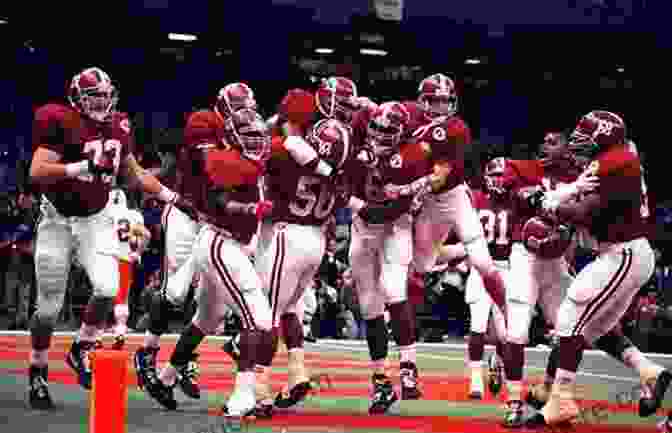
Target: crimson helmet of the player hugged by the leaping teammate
[388,123]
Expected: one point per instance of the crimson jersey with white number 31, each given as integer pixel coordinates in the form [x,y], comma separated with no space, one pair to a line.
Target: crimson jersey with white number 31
[498,218]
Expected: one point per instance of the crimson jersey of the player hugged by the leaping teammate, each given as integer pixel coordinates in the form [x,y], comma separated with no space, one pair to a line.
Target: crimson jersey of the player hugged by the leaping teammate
[408,164]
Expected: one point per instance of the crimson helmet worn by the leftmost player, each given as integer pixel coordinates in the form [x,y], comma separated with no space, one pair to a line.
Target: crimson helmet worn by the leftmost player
[92,93]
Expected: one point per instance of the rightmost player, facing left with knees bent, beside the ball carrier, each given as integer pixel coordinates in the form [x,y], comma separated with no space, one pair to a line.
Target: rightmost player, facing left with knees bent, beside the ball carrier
[604,289]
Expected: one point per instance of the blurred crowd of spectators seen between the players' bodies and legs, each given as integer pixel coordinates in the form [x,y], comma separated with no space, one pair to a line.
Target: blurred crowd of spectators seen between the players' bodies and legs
[332,310]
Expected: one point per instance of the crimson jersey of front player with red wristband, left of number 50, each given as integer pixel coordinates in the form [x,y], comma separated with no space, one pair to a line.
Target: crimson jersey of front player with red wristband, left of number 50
[227,170]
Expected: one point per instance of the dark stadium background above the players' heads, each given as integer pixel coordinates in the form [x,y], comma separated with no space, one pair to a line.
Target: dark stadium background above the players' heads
[543,64]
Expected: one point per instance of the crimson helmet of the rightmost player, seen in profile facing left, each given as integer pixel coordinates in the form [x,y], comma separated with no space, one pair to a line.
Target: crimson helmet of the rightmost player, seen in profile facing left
[596,131]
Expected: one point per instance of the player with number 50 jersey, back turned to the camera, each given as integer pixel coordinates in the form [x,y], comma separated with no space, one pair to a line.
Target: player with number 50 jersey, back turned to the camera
[295,240]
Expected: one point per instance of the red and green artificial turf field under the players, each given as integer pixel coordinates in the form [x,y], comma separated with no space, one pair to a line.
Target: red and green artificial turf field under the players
[340,405]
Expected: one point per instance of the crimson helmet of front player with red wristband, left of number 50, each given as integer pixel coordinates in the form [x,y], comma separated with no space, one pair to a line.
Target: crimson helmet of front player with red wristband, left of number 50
[249,133]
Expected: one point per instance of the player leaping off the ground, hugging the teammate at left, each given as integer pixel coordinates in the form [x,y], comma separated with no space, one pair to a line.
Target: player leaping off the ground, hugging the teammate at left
[446,204]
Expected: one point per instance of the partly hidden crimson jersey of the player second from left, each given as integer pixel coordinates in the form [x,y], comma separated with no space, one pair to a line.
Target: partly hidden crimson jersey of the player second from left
[204,130]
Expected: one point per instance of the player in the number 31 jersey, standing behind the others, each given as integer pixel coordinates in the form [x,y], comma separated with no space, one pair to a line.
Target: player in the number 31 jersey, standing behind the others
[496,212]
